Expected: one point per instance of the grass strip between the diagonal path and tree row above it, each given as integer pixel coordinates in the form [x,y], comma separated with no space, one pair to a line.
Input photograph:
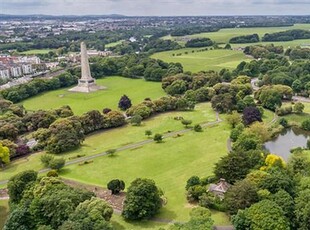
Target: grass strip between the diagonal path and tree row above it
[118,137]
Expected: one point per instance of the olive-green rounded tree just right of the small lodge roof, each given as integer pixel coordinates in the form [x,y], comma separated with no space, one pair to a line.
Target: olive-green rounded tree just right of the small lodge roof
[241,195]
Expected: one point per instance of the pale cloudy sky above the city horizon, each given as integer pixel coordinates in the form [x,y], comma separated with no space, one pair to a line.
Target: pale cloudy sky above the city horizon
[156,7]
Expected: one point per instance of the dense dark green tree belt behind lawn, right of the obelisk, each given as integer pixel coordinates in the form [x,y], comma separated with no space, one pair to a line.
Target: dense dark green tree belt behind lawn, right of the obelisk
[134,66]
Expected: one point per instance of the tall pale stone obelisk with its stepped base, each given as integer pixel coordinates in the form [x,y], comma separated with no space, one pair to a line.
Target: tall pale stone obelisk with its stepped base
[86,84]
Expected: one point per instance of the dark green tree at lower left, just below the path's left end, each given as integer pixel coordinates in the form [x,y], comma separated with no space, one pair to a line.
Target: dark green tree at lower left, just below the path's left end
[18,183]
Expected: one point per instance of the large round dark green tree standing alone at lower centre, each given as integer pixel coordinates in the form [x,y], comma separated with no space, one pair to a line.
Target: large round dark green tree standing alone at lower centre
[142,200]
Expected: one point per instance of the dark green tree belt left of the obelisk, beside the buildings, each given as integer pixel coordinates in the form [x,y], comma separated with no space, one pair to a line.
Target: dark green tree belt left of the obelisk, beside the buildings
[36,86]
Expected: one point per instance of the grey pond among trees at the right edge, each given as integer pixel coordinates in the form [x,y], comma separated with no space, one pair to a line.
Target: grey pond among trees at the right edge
[287,140]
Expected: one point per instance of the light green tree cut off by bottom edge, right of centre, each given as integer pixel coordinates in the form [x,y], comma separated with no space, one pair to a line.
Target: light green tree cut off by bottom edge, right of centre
[200,218]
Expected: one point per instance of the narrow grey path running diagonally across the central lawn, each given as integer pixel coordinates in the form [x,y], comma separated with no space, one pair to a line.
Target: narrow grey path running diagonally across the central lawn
[129,146]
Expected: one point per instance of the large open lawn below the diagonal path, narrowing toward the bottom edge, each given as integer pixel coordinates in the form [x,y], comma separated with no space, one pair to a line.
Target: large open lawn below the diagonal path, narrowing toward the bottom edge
[170,164]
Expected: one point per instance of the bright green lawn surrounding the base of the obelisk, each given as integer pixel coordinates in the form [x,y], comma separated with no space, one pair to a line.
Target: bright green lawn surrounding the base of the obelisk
[135,89]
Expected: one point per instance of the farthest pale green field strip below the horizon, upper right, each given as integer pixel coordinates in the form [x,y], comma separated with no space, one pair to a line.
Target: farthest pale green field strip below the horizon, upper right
[223,35]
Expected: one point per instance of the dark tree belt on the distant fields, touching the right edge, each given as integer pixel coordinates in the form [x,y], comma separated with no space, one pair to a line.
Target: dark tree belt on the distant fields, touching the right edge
[288,35]
